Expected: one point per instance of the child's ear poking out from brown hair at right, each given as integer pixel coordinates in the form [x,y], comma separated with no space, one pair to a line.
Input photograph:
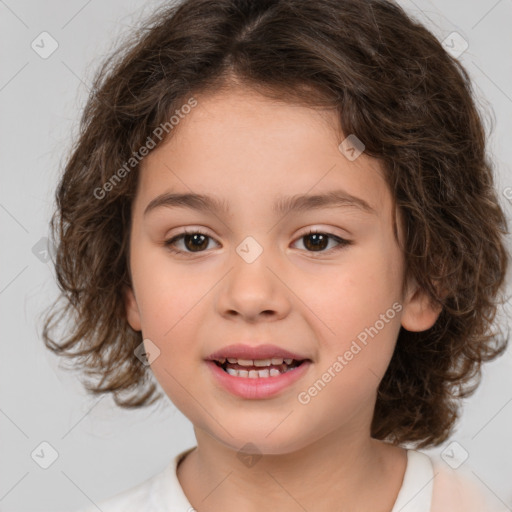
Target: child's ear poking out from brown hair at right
[419,314]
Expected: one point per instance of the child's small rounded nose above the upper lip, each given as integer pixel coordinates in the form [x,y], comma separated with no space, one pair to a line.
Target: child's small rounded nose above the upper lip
[254,291]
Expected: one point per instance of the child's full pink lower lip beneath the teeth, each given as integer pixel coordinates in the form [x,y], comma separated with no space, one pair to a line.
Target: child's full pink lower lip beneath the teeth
[261,387]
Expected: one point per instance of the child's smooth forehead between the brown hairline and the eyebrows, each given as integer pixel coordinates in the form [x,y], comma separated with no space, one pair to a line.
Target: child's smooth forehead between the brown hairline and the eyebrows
[241,147]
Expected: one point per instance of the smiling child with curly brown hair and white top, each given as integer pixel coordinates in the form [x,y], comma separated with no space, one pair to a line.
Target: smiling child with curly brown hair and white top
[285,210]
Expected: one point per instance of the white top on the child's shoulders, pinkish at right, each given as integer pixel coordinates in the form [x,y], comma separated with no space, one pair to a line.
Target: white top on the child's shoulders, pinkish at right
[427,486]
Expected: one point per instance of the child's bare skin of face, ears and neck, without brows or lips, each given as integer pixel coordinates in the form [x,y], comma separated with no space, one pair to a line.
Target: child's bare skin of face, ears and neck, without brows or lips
[249,150]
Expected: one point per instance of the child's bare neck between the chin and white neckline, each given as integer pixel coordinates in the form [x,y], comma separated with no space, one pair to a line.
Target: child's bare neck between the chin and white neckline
[355,470]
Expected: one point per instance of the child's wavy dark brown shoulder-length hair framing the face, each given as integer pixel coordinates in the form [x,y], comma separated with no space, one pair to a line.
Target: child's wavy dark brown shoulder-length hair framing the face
[392,85]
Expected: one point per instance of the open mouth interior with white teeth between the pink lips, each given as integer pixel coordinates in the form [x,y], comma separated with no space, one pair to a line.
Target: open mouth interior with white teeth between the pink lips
[258,368]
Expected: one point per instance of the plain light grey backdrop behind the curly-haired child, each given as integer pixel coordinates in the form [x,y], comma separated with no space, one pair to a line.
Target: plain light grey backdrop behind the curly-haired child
[103,449]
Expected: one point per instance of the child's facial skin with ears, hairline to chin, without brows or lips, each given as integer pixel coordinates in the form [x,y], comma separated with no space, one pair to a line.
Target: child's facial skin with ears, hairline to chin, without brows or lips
[248,151]
